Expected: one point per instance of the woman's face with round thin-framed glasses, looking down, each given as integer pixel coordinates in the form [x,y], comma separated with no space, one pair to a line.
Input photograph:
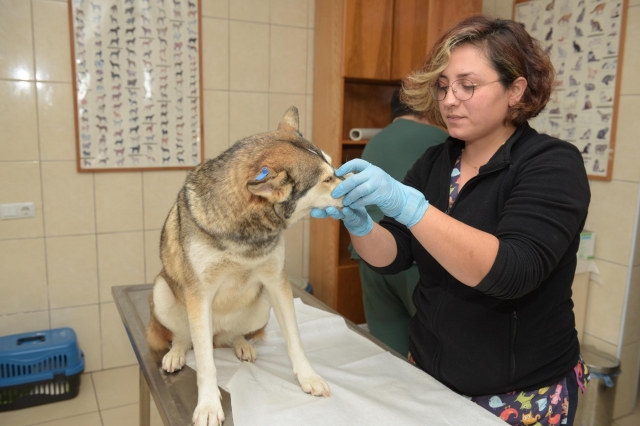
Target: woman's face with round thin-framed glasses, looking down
[480,117]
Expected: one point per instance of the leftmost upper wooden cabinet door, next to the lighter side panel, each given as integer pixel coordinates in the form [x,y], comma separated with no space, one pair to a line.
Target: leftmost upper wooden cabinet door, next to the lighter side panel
[368,28]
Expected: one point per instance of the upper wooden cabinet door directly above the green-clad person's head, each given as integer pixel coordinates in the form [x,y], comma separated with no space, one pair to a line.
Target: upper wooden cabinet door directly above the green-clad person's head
[410,31]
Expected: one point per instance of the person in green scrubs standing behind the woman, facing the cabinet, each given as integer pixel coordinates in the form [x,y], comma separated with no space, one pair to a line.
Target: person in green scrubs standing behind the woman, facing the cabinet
[387,299]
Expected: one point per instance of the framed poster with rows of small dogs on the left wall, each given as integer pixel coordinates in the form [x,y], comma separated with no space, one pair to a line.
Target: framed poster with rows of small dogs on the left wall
[137,84]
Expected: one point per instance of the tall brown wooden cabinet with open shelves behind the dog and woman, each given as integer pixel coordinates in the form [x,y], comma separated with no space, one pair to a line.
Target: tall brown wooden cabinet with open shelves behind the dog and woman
[363,48]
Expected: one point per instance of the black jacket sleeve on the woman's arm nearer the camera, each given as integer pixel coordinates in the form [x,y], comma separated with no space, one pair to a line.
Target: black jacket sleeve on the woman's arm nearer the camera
[540,221]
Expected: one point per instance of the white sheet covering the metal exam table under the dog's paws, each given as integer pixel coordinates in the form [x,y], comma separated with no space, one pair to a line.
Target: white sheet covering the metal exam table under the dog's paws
[368,385]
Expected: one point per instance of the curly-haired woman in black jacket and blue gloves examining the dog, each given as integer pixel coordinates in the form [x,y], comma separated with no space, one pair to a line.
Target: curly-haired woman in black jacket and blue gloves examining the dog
[492,218]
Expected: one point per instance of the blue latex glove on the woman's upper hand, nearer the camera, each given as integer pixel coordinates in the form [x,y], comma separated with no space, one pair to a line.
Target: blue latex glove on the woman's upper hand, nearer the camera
[372,185]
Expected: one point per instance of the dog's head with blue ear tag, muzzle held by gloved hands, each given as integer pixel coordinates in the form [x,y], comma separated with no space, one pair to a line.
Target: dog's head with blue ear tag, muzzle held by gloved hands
[291,173]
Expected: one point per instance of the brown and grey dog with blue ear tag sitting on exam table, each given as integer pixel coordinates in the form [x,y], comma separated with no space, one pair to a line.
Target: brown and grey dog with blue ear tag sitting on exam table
[222,251]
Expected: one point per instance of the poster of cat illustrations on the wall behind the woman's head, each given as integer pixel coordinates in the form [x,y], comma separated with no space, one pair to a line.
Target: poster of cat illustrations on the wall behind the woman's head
[585,43]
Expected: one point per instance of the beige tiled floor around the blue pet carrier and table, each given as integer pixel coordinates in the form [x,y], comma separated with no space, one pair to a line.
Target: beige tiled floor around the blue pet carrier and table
[110,398]
